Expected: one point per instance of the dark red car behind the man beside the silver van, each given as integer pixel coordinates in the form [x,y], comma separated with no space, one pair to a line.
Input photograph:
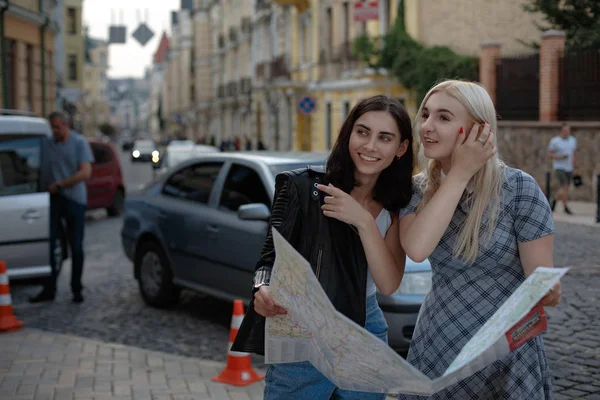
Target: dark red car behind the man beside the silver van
[105,187]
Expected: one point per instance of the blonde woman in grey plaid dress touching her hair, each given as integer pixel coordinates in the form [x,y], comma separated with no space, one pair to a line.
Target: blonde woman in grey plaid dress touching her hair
[484,227]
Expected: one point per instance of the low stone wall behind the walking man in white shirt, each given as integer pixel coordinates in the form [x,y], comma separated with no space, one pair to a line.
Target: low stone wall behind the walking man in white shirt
[524,145]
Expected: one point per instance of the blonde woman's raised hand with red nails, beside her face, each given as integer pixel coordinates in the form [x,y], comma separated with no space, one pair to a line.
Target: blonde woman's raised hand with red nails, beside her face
[473,151]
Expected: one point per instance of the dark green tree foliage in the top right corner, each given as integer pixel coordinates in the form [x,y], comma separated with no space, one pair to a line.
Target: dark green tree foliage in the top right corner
[579,19]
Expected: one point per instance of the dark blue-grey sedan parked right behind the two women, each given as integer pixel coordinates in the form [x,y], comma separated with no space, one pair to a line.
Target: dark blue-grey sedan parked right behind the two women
[202,226]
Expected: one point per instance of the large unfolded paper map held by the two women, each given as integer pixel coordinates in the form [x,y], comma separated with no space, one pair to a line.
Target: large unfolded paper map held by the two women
[354,359]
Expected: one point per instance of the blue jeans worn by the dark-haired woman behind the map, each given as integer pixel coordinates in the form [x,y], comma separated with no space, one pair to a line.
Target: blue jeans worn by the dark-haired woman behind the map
[303,381]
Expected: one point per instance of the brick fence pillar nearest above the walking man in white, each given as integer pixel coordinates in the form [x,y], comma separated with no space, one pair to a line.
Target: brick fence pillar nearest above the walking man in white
[552,48]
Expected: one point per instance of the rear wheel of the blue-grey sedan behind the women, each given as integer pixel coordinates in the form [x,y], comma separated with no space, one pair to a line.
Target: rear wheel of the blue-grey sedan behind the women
[155,277]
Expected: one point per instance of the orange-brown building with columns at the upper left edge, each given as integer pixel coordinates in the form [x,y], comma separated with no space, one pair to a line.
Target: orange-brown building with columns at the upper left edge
[26,52]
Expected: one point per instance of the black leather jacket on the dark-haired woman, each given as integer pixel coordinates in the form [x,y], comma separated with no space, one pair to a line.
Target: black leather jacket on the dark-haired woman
[332,247]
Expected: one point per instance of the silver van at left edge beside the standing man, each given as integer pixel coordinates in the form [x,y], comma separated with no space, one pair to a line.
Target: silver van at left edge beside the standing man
[24,199]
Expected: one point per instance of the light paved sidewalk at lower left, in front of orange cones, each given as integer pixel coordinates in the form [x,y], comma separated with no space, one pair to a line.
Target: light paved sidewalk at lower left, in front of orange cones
[45,366]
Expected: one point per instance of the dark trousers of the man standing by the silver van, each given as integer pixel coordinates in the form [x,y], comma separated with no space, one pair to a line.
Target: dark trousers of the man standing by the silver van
[67,225]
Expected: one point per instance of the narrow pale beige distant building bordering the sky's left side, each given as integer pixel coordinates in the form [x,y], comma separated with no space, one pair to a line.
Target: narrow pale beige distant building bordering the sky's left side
[94,104]
